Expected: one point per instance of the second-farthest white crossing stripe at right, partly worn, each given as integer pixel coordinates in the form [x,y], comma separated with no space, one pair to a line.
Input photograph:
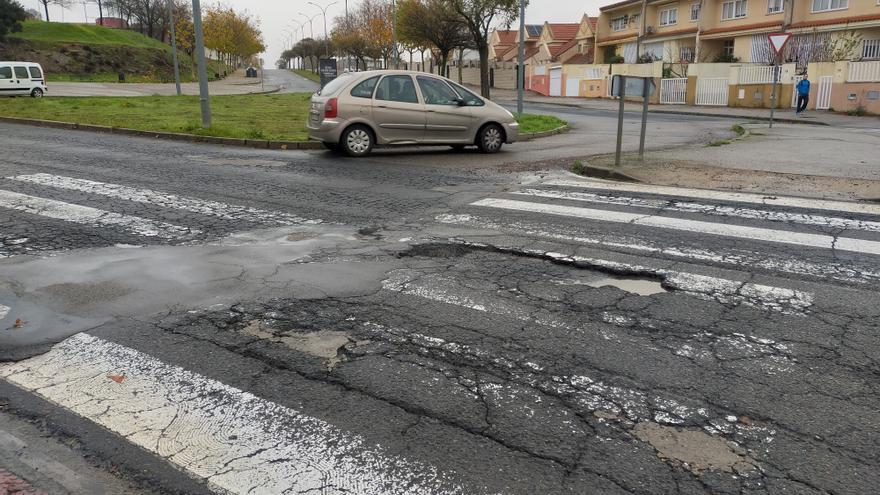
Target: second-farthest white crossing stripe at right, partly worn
[725,211]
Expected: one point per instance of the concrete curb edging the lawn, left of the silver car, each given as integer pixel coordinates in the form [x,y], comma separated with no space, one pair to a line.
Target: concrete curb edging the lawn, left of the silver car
[172,136]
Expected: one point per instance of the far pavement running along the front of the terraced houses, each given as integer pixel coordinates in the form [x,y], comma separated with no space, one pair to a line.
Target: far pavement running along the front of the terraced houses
[785,115]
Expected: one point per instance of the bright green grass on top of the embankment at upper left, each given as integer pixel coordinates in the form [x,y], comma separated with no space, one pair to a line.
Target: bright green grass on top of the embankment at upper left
[57,32]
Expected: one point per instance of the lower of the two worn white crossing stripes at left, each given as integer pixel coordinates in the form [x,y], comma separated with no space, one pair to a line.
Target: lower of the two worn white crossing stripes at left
[94,217]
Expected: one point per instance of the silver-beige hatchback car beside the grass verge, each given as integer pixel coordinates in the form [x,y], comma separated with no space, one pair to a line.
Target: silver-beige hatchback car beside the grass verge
[357,111]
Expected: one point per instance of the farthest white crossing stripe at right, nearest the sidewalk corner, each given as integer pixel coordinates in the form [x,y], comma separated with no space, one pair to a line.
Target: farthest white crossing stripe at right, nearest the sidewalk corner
[761,199]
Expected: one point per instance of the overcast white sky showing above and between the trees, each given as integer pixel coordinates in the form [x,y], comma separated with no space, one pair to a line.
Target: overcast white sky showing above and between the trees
[276,16]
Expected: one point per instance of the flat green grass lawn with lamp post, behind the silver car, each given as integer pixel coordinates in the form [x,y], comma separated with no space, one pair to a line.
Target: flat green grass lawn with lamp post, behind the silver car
[276,117]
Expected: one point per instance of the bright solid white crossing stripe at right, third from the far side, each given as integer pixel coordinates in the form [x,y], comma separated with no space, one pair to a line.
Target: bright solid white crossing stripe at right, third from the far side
[737,231]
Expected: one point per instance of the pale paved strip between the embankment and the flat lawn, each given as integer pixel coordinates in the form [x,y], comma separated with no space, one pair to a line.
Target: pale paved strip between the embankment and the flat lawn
[235,84]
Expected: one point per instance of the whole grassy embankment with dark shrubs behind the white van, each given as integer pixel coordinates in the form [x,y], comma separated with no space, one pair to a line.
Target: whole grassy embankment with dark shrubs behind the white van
[90,53]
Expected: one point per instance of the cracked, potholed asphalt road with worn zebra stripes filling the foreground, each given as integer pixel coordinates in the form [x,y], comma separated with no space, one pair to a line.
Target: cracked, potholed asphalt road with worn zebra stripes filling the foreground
[294,322]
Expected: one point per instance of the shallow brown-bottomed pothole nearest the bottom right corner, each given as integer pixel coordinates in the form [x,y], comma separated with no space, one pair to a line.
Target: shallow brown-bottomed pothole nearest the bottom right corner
[695,449]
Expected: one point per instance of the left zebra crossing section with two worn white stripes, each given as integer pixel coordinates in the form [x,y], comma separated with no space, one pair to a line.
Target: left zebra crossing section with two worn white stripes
[101,213]
